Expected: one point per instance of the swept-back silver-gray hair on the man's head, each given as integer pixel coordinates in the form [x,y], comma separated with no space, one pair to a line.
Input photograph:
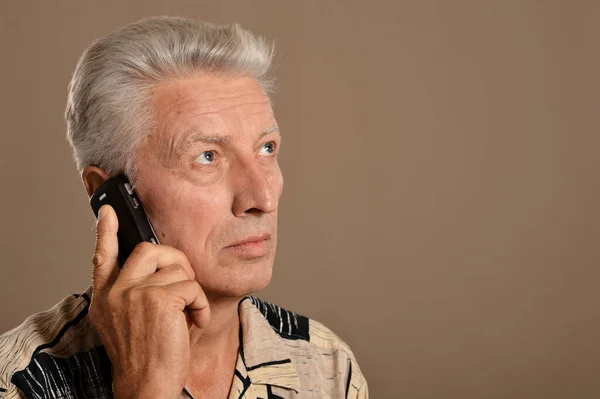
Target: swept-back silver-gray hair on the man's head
[108,111]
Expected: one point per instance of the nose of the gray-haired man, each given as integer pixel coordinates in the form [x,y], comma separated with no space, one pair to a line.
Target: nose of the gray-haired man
[255,189]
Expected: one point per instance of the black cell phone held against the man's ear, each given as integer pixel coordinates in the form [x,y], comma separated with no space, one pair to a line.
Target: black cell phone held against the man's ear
[134,225]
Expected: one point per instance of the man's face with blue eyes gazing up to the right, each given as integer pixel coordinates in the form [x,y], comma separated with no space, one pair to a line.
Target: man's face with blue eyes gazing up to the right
[209,179]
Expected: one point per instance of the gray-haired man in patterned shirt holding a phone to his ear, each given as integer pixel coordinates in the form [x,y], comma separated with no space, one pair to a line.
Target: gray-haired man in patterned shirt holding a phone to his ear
[180,107]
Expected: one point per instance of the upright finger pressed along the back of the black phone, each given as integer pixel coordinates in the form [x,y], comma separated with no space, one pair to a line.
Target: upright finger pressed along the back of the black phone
[106,265]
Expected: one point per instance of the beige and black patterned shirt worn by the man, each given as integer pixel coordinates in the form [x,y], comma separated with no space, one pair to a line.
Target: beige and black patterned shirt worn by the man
[58,354]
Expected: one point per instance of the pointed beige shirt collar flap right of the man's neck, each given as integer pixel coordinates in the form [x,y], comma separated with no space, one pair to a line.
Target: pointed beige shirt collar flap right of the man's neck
[263,352]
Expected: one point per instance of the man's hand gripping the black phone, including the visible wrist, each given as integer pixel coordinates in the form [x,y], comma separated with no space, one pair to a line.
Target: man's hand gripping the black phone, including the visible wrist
[143,313]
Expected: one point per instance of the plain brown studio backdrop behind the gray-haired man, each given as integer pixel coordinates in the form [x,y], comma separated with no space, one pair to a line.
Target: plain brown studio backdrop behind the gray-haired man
[441,181]
